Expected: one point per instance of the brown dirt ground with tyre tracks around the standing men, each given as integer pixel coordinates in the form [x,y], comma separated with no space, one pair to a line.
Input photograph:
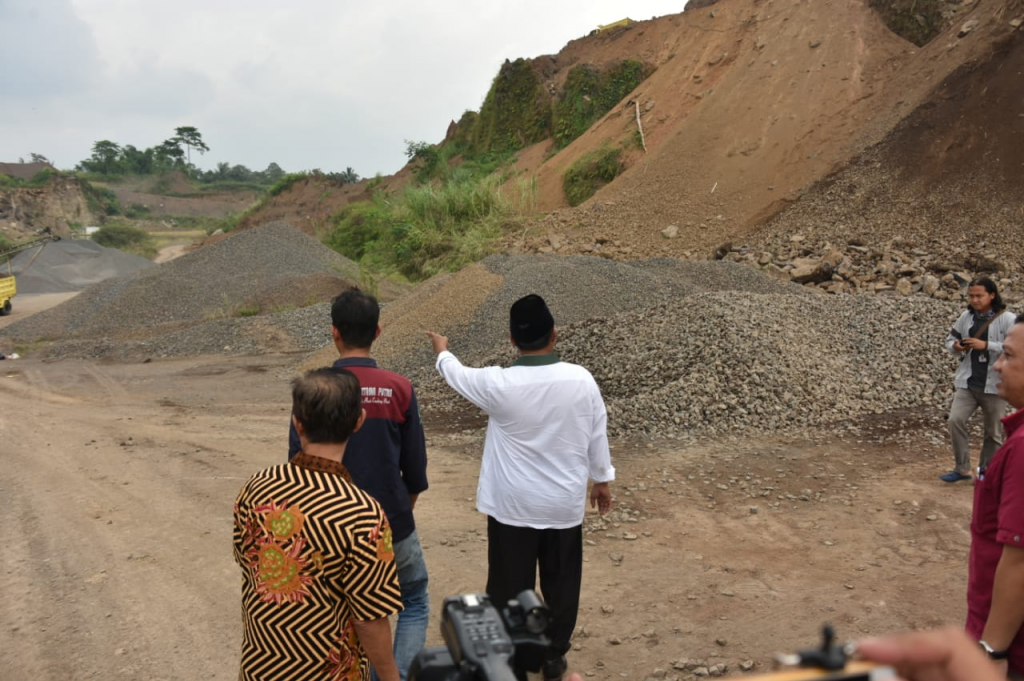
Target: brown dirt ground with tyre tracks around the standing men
[118,483]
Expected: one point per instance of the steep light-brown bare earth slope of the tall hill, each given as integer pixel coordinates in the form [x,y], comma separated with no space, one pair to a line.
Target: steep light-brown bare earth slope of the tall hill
[753,105]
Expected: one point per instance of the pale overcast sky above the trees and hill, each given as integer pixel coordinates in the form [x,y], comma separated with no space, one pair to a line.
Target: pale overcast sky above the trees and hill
[308,84]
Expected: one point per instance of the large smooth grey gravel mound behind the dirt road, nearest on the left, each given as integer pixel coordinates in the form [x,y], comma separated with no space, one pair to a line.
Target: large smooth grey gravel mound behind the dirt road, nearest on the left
[221,281]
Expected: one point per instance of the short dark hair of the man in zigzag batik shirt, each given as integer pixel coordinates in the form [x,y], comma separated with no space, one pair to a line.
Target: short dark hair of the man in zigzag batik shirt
[328,404]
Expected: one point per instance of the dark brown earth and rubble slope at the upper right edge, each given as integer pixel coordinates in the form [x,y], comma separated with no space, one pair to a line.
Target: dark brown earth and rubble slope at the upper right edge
[947,182]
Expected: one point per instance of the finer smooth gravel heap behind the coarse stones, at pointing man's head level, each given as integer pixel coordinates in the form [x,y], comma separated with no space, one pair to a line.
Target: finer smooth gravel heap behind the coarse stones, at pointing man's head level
[472,307]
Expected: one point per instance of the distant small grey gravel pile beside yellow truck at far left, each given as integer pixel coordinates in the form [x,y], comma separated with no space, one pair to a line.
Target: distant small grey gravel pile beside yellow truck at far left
[72,266]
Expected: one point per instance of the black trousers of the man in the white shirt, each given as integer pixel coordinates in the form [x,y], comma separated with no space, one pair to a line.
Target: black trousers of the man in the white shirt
[514,558]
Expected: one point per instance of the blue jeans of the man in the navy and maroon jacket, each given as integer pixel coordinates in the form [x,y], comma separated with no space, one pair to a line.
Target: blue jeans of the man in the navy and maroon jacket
[411,632]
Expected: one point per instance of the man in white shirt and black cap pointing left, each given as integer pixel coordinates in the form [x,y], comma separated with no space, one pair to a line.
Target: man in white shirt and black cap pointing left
[546,439]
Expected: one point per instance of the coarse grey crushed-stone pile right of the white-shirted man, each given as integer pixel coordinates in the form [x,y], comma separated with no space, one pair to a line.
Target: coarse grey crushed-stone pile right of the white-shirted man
[731,363]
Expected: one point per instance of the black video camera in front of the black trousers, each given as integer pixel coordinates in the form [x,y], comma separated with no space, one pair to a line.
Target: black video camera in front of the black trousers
[483,642]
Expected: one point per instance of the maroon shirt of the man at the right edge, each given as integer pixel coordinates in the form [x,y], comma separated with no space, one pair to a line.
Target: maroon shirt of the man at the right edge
[998,521]
